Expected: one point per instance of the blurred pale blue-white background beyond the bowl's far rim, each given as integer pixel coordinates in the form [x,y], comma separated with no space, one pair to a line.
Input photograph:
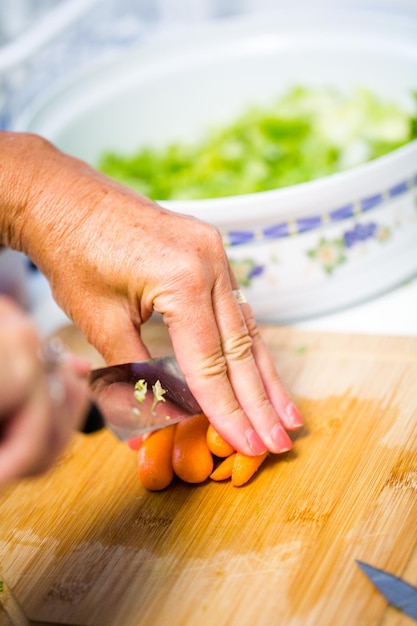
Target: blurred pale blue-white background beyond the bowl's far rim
[44,41]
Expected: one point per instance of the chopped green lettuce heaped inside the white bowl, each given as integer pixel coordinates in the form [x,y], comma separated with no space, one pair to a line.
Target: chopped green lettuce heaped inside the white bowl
[306,134]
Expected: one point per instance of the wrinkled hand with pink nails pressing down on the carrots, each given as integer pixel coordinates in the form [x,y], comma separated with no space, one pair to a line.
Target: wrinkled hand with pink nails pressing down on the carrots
[113,257]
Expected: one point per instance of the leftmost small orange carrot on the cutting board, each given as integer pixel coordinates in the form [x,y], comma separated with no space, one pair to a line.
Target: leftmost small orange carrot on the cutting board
[155,469]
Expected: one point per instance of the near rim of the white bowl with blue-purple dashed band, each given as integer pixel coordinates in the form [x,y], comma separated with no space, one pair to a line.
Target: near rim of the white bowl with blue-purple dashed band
[292,210]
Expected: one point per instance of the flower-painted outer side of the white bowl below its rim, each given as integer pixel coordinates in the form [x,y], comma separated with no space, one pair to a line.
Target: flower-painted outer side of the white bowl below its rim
[344,261]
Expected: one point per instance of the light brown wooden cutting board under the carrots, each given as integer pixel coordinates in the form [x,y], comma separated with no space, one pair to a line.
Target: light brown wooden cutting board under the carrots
[87,545]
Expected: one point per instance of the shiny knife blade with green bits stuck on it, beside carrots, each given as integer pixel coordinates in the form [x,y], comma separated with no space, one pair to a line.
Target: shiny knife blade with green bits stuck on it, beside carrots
[112,390]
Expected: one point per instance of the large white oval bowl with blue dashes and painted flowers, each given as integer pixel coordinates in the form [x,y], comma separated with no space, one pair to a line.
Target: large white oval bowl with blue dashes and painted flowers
[302,250]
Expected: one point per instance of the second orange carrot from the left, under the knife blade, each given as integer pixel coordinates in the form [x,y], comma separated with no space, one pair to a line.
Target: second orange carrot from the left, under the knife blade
[191,457]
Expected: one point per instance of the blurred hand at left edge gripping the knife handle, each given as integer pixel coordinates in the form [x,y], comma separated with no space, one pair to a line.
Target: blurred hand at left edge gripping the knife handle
[38,410]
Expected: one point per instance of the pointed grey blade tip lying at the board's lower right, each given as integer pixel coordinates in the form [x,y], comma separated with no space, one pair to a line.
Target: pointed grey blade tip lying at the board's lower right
[399,593]
